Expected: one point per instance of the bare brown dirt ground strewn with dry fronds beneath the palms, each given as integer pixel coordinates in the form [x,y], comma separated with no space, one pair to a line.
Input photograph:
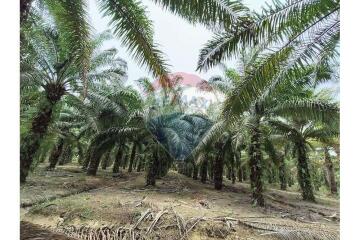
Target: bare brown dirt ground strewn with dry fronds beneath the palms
[69,203]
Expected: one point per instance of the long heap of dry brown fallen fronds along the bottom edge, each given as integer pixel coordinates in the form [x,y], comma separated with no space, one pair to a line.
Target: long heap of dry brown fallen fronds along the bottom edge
[151,224]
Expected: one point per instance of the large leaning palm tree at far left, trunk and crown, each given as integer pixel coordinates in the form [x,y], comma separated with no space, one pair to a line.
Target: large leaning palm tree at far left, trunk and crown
[56,76]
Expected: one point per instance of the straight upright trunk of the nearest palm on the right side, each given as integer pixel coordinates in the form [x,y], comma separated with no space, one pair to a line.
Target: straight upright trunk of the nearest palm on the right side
[256,168]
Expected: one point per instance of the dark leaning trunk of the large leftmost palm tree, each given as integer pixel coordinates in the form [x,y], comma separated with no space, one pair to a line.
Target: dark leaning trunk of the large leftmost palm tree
[30,142]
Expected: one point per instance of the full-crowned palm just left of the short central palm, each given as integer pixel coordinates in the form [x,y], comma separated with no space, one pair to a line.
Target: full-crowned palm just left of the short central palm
[104,108]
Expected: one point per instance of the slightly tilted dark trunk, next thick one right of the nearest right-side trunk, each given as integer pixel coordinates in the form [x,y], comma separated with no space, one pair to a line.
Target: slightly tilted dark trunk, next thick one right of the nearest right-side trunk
[304,174]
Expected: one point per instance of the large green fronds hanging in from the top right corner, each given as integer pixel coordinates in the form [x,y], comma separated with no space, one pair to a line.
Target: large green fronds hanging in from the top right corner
[295,34]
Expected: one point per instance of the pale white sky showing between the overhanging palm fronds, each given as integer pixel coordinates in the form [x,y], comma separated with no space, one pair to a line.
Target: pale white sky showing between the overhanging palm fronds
[179,40]
